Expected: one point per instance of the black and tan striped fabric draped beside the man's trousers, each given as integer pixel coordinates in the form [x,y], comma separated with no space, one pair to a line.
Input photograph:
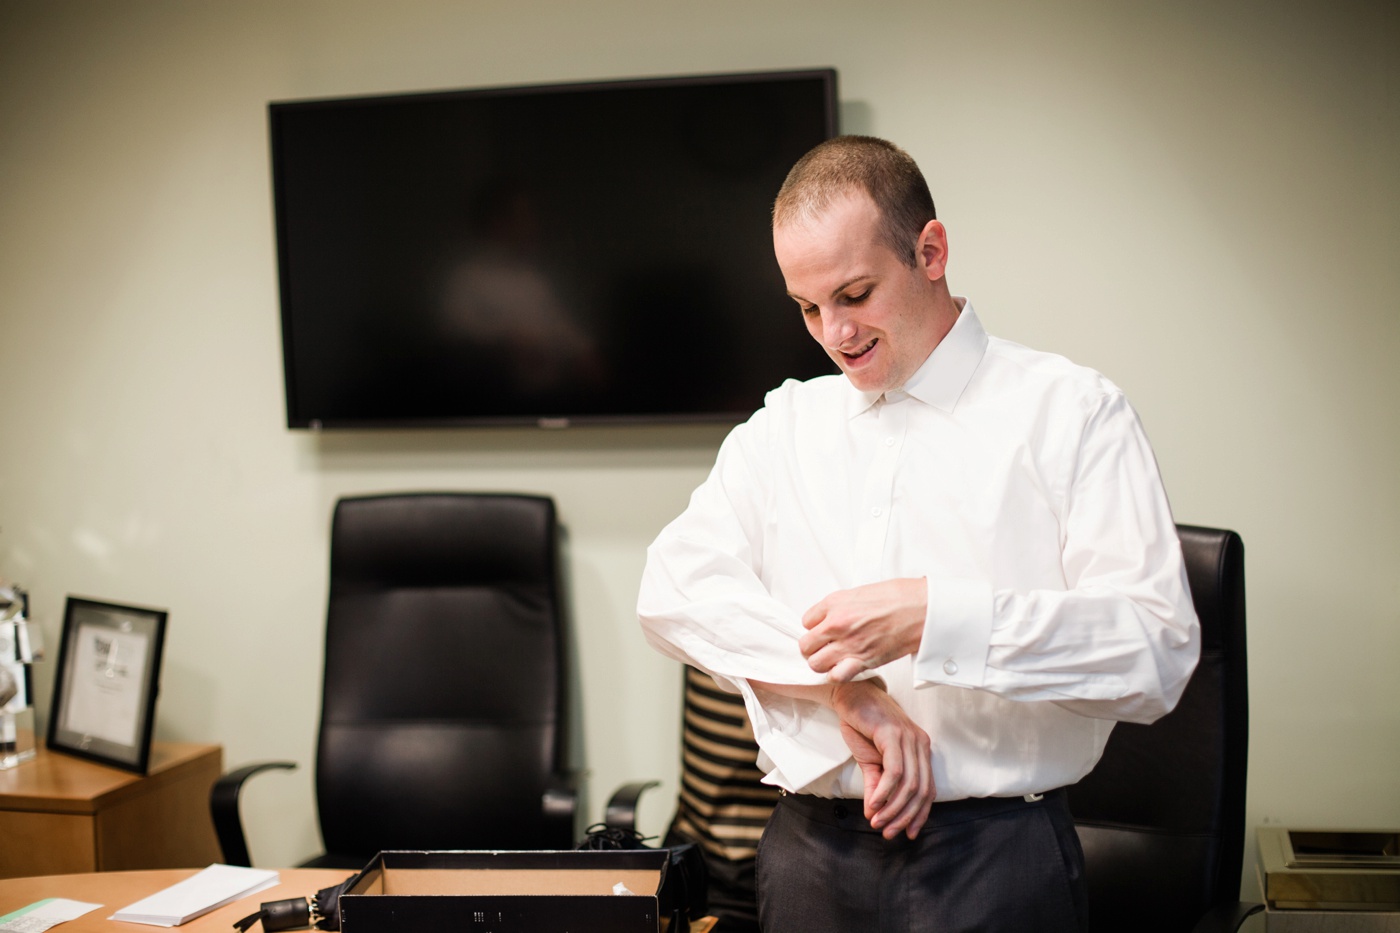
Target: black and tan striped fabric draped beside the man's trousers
[723,803]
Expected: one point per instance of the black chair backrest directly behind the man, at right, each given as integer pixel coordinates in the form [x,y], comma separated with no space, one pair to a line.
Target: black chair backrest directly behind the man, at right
[1163,815]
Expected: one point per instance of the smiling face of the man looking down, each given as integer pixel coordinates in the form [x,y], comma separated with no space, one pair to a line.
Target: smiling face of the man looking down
[873,315]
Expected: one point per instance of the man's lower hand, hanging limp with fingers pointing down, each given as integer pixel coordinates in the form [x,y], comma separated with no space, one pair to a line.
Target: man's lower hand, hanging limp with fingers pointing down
[894,757]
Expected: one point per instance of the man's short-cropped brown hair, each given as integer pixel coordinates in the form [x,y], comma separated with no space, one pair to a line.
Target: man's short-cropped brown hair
[883,170]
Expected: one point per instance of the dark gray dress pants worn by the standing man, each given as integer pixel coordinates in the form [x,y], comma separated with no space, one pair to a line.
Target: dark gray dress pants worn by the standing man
[986,866]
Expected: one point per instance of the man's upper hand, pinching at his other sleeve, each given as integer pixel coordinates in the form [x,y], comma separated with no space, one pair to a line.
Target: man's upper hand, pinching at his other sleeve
[855,631]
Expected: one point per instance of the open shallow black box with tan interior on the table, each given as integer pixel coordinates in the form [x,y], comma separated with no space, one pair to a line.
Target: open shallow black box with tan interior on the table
[618,892]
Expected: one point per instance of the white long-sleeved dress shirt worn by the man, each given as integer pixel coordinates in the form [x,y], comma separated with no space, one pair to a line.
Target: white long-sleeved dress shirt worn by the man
[1020,485]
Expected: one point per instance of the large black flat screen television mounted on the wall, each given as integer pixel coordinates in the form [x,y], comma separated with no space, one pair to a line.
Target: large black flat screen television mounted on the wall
[549,256]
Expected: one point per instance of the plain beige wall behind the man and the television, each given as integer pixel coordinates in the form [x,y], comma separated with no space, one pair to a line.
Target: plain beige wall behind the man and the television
[1198,198]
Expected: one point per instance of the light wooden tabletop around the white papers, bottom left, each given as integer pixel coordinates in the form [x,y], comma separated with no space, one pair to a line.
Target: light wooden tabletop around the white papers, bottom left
[114,890]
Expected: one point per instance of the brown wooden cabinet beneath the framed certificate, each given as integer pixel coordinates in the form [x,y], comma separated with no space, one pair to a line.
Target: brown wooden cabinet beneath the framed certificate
[62,815]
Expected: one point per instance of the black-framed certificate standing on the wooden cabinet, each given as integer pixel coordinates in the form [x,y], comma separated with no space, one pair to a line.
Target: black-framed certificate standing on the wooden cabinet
[106,684]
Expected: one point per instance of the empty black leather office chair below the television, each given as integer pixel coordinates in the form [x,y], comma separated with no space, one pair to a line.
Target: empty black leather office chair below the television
[444,703]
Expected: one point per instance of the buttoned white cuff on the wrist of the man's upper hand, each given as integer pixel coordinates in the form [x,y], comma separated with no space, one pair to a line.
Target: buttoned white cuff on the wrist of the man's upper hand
[957,634]
